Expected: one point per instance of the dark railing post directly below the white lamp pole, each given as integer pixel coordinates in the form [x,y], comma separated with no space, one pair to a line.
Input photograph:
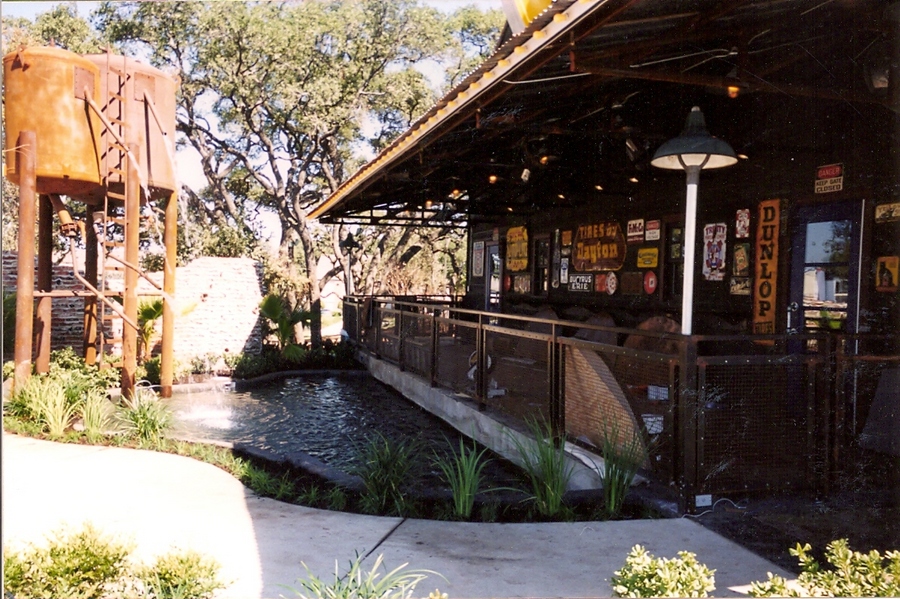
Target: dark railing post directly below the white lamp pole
[687,415]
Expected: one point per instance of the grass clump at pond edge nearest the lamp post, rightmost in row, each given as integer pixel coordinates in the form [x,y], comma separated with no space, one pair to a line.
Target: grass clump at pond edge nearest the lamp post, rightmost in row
[622,457]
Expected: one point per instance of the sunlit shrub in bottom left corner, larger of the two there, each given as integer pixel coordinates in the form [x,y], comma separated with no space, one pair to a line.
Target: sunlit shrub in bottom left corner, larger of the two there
[84,564]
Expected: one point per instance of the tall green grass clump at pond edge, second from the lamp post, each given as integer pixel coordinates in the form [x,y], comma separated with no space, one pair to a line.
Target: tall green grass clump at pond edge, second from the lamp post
[544,461]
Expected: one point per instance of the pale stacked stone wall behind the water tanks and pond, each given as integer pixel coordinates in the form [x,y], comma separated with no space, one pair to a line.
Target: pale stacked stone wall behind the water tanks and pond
[217,306]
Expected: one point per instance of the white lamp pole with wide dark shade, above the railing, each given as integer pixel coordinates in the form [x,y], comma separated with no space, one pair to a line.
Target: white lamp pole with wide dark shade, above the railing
[692,151]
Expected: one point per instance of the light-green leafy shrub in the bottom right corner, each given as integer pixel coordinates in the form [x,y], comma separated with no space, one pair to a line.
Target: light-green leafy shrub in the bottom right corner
[853,574]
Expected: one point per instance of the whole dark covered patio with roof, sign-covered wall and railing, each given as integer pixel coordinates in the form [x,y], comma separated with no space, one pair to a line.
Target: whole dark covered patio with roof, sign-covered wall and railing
[578,245]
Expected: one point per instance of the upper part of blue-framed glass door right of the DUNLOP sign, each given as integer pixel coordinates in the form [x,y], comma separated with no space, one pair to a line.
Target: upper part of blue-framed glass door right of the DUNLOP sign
[825,269]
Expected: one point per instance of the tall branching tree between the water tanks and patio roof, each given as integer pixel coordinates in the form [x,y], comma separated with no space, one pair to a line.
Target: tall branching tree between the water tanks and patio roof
[290,87]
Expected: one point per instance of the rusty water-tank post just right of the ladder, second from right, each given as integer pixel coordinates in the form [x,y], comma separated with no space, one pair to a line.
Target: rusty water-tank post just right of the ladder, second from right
[132,227]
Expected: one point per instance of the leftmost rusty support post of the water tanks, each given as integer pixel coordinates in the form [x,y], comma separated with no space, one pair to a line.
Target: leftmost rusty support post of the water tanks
[26,150]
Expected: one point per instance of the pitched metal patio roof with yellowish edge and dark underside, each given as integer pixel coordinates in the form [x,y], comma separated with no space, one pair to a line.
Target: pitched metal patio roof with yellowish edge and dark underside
[555,94]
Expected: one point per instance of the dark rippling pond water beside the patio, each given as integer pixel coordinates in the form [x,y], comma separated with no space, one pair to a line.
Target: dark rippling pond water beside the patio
[328,417]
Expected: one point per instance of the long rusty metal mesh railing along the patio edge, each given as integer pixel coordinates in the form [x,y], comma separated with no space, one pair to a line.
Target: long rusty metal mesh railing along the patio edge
[718,414]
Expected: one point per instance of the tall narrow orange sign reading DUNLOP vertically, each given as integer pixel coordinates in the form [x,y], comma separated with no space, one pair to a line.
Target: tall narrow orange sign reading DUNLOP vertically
[764,284]
